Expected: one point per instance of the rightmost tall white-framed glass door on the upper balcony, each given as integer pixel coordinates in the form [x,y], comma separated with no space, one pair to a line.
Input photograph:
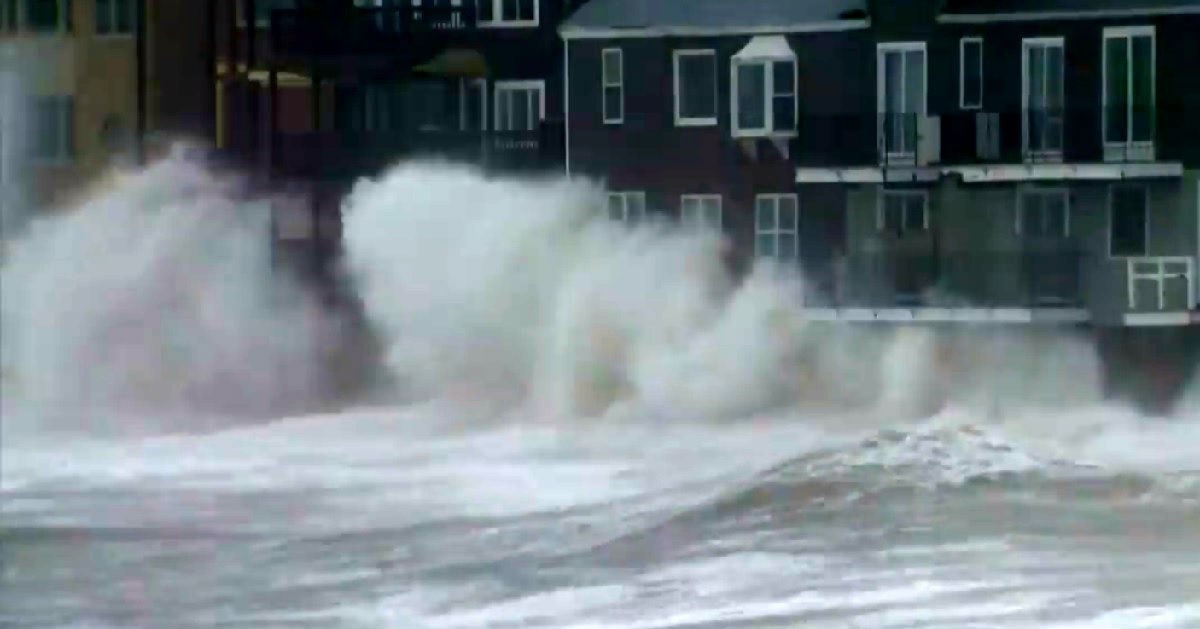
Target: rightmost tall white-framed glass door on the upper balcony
[1129,88]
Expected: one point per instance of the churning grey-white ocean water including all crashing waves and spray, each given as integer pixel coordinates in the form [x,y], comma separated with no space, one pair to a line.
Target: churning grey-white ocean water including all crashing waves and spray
[591,427]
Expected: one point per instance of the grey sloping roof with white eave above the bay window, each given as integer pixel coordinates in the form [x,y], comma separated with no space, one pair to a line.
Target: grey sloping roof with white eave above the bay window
[667,17]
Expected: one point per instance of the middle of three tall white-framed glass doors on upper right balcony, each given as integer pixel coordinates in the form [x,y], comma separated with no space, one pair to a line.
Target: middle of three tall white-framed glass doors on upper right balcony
[1043,97]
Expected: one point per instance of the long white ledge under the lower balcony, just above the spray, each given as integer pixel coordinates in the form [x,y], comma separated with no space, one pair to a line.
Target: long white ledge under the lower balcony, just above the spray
[950,315]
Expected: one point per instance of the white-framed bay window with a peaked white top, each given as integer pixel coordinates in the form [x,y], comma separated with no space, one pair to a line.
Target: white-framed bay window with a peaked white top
[764,97]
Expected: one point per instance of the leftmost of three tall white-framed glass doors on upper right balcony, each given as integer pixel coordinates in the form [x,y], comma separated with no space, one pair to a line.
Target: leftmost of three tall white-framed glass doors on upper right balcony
[902,95]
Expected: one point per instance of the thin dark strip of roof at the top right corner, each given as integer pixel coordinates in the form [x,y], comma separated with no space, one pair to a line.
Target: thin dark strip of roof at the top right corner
[1003,10]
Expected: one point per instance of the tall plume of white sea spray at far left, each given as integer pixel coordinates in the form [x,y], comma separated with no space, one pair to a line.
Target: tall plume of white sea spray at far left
[155,298]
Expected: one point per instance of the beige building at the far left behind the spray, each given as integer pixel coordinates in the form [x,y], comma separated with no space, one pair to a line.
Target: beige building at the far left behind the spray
[75,67]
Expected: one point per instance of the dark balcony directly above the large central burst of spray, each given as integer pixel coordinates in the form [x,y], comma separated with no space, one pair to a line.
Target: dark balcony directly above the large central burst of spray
[346,155]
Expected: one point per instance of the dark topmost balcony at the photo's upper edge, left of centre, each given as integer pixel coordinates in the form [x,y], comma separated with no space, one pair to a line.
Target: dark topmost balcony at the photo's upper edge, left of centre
[340,29]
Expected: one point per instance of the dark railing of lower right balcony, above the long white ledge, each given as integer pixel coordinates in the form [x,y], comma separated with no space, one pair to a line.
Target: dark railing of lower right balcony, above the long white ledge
[1028,280]
